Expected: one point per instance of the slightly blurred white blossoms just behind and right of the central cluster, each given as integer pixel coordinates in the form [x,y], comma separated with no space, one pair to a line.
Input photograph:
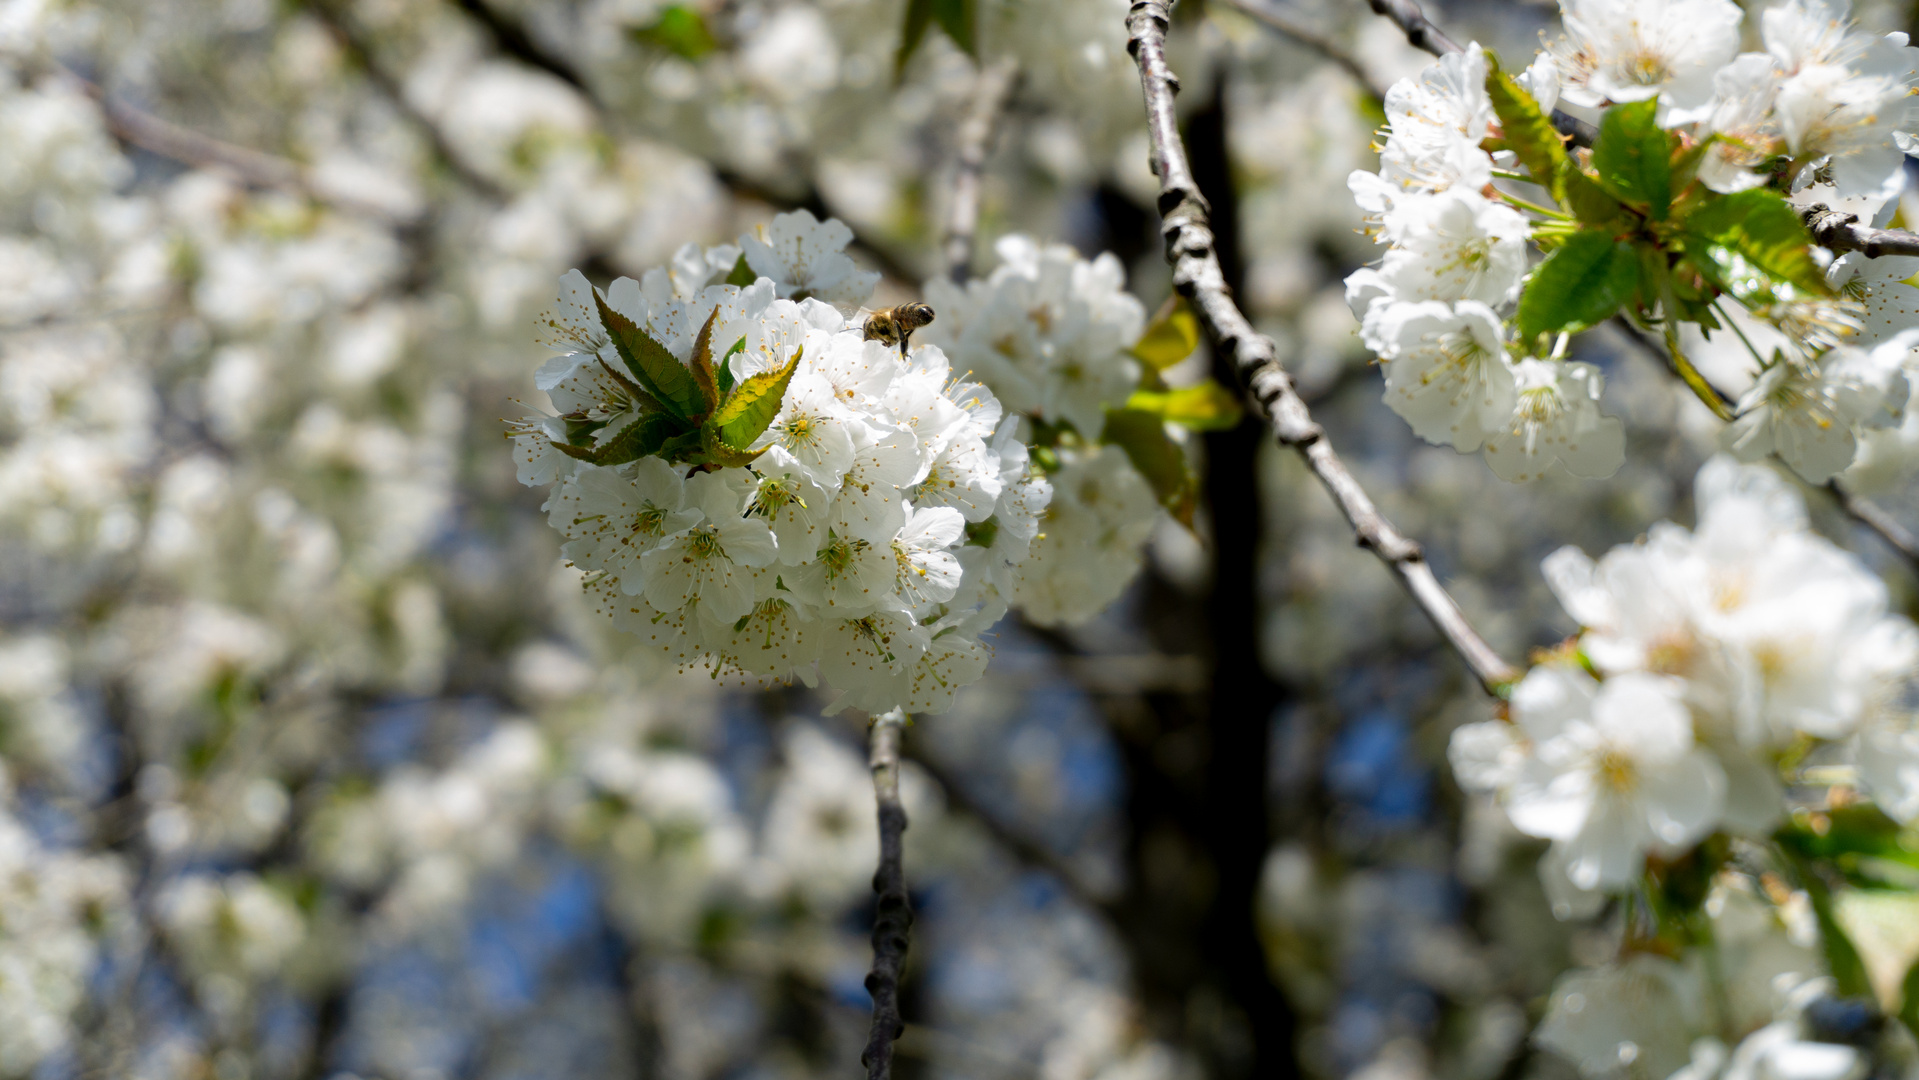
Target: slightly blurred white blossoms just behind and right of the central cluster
[1053,333]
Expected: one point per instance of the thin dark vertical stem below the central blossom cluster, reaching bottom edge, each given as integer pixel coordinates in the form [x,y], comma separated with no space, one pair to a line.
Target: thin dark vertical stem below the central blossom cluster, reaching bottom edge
[893,918]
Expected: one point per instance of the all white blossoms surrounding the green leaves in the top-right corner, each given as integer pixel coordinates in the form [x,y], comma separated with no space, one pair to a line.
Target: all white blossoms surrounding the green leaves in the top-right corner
[1824,114]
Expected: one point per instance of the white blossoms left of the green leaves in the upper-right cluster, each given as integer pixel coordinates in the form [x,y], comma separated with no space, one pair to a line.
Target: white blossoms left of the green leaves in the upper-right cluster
[1433,310]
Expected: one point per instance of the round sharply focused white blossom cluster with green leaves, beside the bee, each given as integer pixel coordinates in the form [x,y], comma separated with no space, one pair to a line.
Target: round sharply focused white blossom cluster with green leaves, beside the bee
[830,509]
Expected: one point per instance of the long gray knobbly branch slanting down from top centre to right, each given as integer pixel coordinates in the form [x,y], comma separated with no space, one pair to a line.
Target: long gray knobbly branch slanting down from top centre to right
[1198,277]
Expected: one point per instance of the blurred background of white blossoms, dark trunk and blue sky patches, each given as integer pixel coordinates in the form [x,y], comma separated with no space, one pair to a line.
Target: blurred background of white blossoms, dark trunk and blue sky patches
[320,764]
